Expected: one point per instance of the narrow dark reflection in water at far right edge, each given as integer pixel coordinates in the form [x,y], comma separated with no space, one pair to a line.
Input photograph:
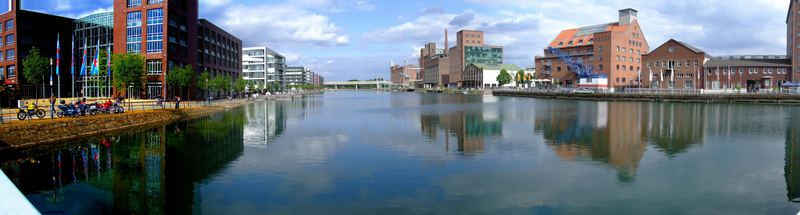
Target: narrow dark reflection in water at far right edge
[792,158]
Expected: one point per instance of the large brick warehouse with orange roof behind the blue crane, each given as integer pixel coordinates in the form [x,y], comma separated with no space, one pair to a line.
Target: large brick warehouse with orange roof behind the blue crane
[613,49]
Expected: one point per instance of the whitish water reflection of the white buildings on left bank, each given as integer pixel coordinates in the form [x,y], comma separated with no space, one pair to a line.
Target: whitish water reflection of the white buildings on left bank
[267,120]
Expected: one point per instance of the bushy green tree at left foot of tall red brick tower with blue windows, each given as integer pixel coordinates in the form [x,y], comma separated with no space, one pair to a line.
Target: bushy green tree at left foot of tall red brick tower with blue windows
[128,70]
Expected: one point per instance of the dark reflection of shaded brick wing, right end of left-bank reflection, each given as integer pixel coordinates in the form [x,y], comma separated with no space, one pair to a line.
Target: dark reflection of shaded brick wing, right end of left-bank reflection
[203,149]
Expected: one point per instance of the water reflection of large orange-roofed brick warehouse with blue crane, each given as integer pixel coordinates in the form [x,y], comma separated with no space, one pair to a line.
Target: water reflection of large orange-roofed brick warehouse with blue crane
[598,131]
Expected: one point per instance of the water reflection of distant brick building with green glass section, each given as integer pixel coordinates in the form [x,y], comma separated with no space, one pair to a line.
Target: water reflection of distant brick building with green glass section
[469,127]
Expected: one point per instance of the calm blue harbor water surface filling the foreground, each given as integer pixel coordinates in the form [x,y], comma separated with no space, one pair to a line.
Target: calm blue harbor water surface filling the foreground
[409,153]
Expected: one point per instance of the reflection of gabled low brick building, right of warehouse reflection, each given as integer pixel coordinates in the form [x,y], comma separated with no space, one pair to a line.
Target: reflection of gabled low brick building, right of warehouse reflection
[674,128]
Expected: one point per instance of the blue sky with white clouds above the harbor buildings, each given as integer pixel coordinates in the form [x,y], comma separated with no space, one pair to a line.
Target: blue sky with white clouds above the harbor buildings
[356,39]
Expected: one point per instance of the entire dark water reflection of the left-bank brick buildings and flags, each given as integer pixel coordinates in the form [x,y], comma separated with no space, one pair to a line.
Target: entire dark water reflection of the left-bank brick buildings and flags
[126,173]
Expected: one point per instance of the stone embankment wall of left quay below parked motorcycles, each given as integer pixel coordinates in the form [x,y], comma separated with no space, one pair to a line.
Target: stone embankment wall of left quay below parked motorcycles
[44,131]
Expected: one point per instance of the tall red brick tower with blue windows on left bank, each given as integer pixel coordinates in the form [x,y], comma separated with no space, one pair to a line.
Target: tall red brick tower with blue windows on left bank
[163,31]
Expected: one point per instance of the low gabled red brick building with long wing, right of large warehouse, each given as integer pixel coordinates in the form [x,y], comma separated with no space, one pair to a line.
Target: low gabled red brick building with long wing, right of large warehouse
[677,65]
